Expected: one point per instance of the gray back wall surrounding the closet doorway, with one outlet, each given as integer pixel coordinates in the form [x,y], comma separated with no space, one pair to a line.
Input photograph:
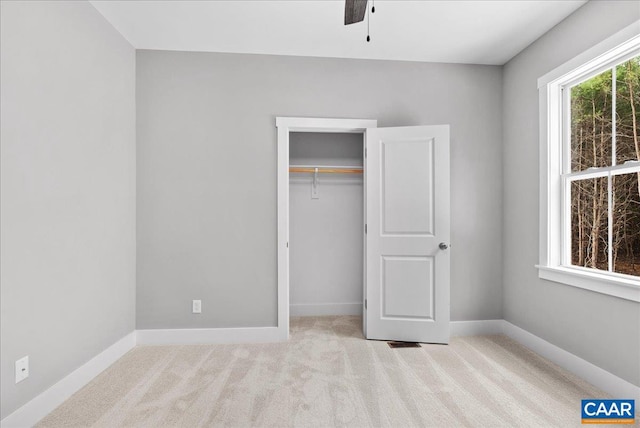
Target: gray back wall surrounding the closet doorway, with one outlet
[206,173]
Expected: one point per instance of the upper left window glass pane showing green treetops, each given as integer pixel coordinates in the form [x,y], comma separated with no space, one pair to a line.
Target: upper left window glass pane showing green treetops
[591,127]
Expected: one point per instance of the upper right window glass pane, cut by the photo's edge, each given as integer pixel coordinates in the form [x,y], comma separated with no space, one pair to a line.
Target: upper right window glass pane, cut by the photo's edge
[628,110]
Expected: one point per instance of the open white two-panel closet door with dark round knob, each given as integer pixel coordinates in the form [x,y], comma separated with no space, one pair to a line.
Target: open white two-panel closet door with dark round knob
[407,209]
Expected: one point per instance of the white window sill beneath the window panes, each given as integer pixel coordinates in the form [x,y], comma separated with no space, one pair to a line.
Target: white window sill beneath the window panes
[621,286]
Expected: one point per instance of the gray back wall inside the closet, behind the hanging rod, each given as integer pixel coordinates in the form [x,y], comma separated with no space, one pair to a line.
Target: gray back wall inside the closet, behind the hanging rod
[326,235]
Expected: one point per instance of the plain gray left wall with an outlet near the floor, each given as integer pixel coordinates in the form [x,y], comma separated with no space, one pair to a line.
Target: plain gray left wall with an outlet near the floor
[68,191]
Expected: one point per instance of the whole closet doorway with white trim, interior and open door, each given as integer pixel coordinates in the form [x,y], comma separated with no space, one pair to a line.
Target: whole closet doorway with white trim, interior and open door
[399,235]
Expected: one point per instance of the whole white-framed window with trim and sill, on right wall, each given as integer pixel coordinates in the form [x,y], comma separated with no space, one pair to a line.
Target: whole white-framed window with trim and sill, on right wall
[590,169]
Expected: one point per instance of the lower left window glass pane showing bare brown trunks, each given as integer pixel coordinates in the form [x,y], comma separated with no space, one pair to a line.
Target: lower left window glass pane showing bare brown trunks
[589,223]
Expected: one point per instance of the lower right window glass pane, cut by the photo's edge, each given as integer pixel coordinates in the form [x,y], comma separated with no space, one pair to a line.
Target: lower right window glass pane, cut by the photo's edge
[626,224]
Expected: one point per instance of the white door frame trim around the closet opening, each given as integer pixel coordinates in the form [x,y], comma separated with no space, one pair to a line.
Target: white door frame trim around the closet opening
[285,125]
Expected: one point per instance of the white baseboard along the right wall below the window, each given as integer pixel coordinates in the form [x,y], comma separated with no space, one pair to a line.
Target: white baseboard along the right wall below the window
[608,382]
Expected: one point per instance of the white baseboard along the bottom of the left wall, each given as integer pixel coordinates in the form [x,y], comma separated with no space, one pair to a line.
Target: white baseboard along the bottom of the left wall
[36,409]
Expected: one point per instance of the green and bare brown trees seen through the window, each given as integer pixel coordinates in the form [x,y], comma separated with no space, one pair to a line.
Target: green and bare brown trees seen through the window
[604,177]
